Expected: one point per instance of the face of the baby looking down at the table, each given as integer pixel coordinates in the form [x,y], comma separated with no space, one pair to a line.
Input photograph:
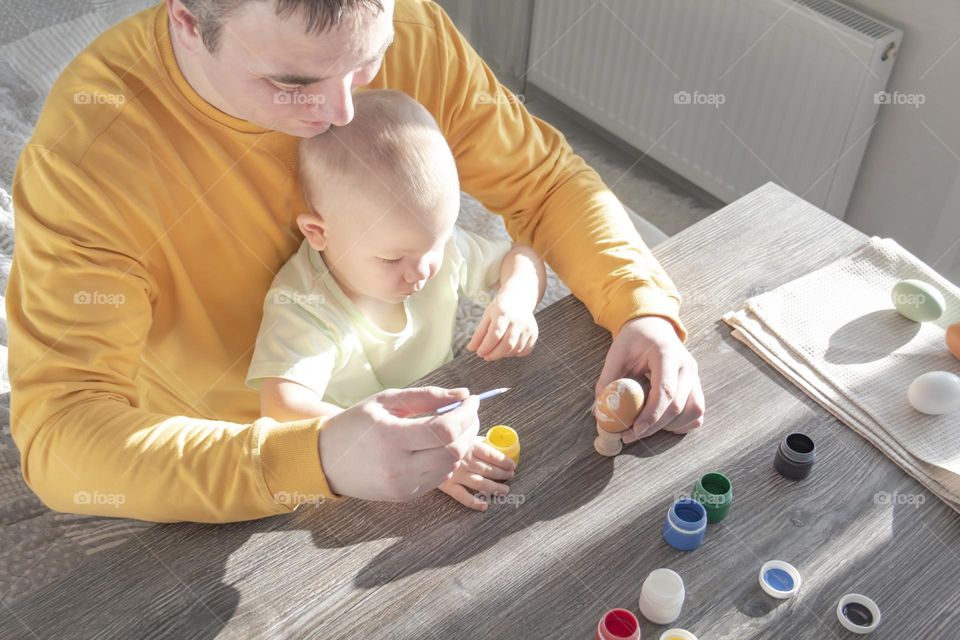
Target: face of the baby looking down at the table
[385,250]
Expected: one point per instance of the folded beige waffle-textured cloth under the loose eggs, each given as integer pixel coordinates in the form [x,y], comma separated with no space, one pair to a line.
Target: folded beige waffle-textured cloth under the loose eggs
[835,334]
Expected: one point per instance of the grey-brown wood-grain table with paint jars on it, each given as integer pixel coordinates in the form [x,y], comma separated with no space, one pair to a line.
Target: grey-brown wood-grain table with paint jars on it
[588,530]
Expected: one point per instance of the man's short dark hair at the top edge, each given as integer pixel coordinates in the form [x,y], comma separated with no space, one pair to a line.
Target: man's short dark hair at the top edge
[320,15]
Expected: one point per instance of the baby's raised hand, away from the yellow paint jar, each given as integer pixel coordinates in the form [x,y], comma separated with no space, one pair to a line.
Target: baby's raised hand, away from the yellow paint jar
[508,328]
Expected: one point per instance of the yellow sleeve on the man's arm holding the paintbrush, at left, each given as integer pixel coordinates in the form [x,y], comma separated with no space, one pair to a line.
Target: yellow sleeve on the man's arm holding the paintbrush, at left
[79,308]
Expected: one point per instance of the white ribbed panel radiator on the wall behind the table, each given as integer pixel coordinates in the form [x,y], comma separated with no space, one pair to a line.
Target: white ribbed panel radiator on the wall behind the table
[730,94]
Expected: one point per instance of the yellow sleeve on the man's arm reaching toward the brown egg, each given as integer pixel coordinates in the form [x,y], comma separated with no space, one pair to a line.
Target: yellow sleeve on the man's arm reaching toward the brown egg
[524,170]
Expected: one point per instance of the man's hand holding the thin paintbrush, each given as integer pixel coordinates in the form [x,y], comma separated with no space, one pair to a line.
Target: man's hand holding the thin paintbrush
[375,450]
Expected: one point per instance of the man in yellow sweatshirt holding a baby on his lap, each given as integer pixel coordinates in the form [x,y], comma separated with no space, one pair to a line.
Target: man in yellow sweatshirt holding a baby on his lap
[155,202]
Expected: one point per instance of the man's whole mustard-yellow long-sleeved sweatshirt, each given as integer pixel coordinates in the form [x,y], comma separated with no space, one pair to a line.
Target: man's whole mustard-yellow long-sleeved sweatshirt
[149,226]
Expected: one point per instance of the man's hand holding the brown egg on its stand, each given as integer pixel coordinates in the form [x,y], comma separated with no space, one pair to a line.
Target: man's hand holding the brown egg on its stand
[650,346]
